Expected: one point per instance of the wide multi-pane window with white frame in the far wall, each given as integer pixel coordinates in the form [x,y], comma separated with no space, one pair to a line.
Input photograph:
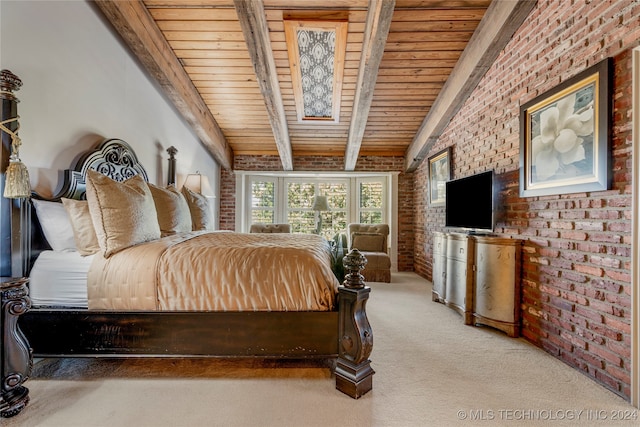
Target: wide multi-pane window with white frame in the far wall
[288,197]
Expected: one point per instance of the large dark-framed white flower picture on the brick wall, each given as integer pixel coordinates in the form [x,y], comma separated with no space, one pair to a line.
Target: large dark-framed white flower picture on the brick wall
[564,136]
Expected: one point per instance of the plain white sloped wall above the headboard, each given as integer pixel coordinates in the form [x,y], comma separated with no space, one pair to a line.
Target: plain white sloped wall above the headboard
[80,86]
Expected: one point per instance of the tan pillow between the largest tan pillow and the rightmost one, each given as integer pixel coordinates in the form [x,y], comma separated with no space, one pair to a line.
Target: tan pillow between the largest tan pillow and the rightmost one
[174,215]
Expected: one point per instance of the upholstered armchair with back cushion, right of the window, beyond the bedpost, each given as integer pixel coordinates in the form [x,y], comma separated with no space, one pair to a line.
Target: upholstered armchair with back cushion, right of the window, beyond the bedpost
[371,241]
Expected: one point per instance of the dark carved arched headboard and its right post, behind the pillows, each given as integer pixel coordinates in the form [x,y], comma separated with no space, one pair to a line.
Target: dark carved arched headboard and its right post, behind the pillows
[113,158]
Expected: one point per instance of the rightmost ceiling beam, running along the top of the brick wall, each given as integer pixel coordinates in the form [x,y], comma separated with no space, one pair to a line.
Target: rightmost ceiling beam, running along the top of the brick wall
[498,25]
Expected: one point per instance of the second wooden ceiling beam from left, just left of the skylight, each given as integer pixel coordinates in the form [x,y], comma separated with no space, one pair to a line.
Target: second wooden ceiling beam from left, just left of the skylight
[256,34]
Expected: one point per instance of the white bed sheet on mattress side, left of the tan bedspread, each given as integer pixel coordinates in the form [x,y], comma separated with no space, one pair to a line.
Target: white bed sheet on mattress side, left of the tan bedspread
[59,279]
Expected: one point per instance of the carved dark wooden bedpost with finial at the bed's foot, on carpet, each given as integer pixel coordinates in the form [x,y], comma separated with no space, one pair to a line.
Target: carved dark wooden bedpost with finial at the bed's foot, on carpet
[354,375]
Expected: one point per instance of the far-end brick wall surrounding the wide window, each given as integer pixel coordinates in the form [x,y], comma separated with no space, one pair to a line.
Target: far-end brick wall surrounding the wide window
[326,164]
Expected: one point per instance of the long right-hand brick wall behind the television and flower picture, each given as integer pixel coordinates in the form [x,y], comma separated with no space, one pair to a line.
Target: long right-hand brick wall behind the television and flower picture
[576,260]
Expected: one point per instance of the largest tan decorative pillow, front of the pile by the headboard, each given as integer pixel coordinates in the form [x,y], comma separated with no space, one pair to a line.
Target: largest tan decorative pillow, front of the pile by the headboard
[123,213]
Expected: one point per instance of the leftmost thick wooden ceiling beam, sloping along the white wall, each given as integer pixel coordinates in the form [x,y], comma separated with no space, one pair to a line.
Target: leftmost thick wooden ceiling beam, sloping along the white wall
[138,29]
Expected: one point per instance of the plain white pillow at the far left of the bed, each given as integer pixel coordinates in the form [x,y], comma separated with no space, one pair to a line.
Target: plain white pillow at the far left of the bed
[56,225]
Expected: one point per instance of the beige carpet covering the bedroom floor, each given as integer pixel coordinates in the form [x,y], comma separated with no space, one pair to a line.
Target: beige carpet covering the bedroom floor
[430,370]
